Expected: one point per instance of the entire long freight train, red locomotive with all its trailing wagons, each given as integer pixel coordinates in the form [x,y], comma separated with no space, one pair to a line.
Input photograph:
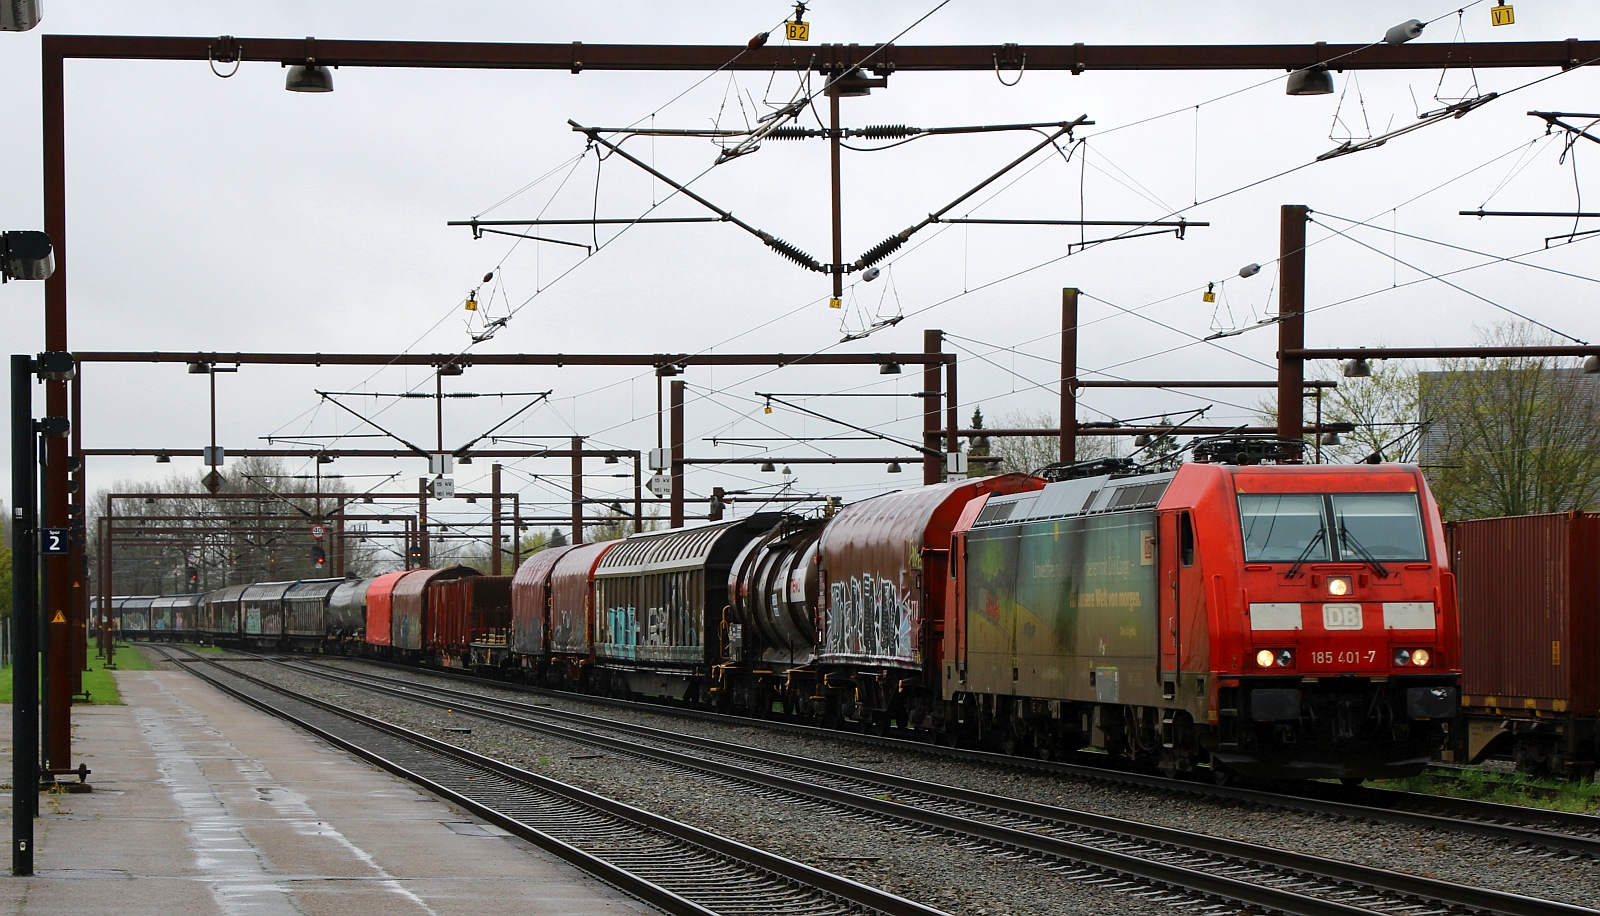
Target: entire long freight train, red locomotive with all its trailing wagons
[1268,621]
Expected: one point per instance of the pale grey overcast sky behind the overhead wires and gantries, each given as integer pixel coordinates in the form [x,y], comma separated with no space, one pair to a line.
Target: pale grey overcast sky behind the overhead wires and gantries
[228,215]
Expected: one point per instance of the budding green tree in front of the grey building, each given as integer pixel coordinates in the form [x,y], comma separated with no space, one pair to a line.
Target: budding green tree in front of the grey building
[1511,436]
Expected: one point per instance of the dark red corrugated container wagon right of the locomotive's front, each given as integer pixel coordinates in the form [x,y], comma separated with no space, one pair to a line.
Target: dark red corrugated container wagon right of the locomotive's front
[1530,640]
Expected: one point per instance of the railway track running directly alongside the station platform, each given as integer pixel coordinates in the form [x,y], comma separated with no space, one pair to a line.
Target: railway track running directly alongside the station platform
[671,866]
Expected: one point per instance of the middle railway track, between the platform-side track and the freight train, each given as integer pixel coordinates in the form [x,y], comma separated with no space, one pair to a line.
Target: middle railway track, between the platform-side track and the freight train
[1185,869]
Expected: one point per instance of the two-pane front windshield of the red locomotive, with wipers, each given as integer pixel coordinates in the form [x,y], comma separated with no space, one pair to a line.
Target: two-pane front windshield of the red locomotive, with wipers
[1319,528]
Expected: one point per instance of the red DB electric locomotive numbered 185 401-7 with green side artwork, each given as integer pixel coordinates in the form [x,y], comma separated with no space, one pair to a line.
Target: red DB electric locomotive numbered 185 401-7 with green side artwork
[1278,621]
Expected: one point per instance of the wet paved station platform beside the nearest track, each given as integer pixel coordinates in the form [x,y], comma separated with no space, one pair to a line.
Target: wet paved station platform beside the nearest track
[206,806]
